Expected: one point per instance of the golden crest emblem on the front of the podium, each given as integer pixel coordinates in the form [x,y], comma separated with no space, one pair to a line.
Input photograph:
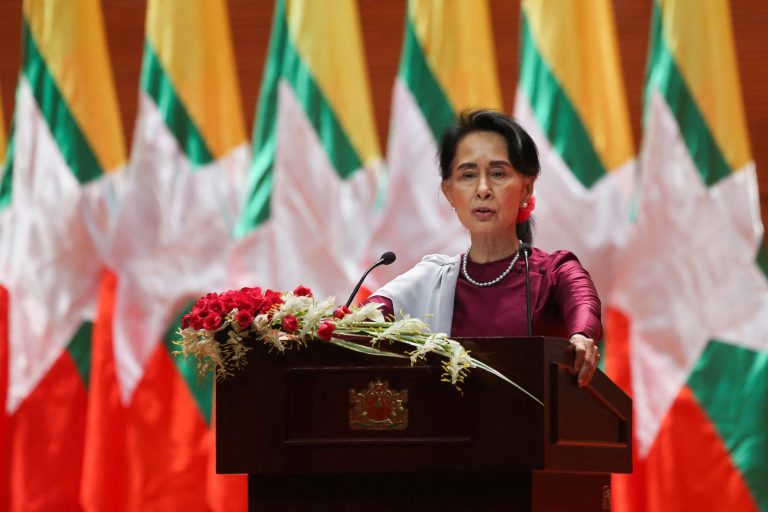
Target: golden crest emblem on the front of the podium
[378,408]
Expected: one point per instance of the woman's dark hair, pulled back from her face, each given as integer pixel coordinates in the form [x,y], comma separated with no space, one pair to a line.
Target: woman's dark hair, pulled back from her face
[522,151]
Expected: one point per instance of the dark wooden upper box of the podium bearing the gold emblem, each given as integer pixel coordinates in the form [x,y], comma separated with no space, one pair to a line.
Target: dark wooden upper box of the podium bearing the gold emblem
[324,410]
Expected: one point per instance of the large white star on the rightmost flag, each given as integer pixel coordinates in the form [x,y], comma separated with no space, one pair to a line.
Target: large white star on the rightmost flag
[687,274]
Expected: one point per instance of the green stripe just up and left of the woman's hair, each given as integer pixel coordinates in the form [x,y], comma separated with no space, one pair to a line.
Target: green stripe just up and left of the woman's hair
[430,97]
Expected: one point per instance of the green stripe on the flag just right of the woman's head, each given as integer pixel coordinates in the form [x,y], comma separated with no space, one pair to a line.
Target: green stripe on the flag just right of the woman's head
[555,113]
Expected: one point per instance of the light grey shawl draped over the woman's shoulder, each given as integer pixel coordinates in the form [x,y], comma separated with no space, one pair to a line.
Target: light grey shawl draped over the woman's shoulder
[426,291]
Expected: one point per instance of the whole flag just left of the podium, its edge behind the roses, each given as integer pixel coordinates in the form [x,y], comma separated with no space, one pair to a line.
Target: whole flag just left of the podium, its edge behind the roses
[150,443]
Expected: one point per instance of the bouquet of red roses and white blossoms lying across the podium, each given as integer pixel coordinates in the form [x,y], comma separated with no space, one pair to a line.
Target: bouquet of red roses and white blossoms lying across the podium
[221,328]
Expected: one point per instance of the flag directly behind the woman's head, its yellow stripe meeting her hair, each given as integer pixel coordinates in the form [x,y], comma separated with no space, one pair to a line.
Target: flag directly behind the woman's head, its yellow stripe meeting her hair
[447,65]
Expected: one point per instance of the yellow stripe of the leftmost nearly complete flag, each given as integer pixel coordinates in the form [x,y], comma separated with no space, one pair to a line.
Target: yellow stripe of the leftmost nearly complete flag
[75,53]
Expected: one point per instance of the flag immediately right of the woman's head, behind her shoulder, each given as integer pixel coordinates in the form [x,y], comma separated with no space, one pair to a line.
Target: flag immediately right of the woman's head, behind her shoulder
[570,98]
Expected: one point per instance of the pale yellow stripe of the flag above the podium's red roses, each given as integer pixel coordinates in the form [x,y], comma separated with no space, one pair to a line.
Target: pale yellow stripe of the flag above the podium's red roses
[323,33]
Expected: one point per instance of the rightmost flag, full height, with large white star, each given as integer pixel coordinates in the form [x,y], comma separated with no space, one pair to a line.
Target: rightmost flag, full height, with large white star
[691,288]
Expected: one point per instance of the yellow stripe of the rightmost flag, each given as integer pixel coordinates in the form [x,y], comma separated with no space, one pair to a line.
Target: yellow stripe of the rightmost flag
[707,61]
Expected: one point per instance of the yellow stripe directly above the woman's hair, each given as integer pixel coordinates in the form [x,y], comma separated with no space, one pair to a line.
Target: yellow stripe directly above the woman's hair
[463,59]
